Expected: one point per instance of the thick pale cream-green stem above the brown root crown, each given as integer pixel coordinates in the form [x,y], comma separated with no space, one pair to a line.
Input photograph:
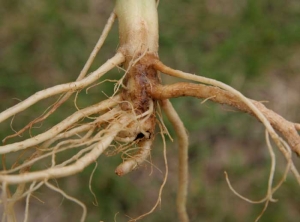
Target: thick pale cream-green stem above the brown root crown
[138,26]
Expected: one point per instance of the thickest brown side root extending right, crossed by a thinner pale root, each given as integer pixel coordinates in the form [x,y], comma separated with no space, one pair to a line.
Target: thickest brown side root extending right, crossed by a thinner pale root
[215,94]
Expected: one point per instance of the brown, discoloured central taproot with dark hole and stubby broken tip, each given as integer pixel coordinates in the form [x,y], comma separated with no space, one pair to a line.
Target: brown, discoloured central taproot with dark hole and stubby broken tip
[140,77]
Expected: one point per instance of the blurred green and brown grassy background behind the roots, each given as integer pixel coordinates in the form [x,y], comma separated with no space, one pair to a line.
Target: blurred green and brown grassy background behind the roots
[252,45]
